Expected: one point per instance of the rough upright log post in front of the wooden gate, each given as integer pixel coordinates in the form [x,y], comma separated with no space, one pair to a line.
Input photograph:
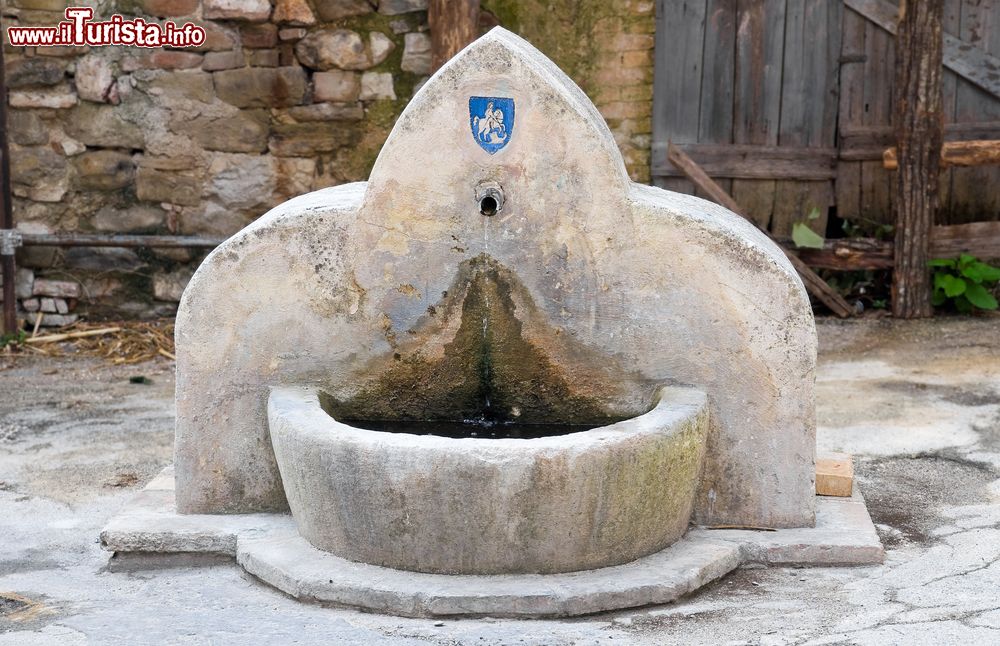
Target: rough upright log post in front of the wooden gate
[919,136]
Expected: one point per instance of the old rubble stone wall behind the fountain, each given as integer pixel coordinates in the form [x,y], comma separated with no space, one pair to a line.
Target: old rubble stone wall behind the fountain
[284,97]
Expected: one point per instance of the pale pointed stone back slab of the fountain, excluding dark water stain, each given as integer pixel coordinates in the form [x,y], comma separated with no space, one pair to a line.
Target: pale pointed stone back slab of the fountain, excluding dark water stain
[625,287]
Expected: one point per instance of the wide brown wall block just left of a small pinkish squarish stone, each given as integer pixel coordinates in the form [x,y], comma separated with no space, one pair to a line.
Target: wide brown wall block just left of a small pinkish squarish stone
[261,87]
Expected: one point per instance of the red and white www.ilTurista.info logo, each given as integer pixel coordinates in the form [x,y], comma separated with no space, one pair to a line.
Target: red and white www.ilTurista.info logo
[78,29]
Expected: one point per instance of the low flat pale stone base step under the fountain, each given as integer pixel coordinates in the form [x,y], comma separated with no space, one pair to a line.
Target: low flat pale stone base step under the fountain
[269,547]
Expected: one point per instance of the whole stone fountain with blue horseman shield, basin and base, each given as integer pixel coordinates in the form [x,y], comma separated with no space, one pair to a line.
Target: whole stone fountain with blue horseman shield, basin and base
[497,378]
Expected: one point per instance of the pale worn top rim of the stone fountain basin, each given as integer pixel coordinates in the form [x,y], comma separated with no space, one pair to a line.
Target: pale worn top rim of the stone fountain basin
[672,404]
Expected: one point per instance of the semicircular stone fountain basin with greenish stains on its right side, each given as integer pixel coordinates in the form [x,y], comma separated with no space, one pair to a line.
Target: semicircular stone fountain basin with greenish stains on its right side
[425,503]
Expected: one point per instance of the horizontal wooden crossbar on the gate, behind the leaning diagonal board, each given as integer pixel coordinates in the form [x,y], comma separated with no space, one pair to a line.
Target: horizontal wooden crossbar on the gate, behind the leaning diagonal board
[744,161]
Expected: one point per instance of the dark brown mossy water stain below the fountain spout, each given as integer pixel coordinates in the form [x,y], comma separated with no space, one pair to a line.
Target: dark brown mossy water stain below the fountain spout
[488,372]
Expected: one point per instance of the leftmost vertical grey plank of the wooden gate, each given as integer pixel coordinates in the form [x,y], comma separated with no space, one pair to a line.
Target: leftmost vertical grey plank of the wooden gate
[680,34]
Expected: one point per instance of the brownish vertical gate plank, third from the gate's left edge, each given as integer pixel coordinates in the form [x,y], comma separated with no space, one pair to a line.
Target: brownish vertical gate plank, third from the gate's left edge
[760,41]
